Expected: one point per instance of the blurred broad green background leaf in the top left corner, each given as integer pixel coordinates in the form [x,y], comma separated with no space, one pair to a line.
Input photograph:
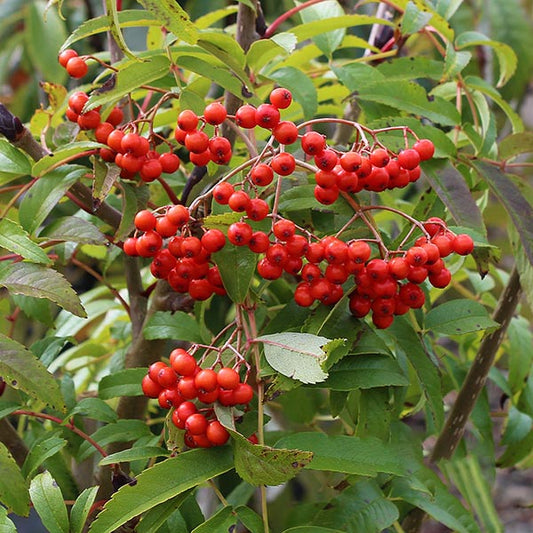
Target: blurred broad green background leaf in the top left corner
[44,35]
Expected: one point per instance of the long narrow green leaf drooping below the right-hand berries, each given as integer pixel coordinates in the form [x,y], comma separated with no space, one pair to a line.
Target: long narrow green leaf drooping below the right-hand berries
[403,335]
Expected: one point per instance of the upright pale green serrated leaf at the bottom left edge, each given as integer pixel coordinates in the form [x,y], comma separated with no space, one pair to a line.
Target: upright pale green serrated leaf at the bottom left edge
[48,501]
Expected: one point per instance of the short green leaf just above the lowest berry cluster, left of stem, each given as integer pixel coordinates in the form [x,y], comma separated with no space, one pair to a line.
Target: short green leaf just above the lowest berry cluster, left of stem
[168,325]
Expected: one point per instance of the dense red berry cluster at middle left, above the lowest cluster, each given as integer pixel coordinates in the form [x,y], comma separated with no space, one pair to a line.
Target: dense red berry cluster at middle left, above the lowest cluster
[185,262]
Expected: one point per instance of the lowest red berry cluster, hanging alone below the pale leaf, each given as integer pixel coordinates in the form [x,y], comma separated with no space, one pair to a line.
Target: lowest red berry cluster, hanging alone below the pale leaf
[177,386]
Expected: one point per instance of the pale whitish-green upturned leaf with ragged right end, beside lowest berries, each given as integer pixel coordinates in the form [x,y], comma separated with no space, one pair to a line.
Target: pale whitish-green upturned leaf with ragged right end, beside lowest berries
[296,355]
